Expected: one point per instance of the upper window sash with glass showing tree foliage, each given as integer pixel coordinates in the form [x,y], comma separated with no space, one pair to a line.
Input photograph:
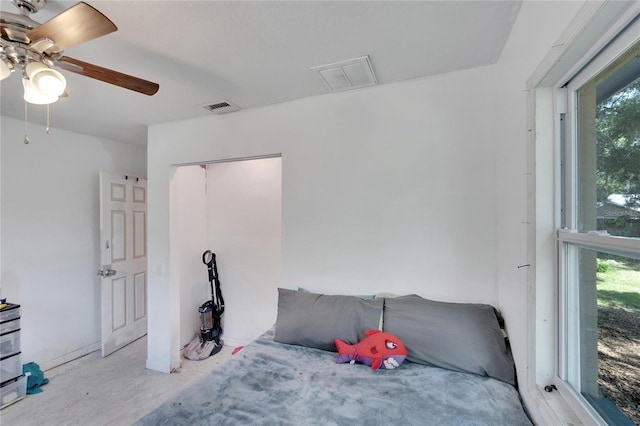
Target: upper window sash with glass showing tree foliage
[608,149]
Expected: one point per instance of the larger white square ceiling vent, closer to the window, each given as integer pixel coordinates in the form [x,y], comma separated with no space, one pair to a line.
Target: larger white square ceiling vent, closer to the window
[347,75]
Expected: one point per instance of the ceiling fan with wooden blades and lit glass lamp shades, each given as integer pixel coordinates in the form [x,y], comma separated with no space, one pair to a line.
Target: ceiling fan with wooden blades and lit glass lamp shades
[36,48]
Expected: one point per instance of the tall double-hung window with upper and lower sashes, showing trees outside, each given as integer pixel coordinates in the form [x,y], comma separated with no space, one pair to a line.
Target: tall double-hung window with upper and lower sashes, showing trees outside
[599,243]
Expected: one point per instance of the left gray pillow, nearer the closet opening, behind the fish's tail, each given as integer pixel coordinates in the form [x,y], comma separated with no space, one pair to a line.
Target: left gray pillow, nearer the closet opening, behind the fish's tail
[314,320]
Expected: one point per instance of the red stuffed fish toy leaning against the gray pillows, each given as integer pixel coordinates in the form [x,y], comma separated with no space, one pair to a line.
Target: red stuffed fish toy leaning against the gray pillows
[378,350]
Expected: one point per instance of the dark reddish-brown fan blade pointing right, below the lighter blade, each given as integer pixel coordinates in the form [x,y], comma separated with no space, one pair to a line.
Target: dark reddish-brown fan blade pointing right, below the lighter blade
[108,76]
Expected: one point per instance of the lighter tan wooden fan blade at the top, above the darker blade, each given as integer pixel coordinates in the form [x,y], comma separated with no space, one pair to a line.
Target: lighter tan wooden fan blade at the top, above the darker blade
[76,25]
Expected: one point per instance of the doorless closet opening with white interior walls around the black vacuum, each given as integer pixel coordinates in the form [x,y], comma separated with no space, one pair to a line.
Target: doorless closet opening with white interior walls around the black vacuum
[234,209]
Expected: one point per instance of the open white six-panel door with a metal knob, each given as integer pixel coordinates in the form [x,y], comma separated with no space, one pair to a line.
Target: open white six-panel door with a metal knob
[123,253]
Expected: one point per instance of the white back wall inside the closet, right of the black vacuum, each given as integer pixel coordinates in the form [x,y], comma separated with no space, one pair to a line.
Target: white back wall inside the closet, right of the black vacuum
[244,230]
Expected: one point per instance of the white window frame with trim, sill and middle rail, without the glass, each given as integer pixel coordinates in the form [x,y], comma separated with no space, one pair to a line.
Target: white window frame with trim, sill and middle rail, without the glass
[598,25]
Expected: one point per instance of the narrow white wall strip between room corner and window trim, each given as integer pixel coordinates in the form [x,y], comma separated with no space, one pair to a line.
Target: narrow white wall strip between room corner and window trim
[526,48]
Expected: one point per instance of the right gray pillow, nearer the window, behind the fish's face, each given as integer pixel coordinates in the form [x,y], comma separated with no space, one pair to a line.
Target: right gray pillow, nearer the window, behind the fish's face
[456,336]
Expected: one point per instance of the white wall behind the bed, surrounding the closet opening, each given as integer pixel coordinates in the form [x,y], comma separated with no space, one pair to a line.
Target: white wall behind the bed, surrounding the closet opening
[373,198]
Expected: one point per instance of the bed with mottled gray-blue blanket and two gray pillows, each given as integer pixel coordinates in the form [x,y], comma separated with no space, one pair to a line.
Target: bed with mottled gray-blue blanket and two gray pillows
[459,370]
